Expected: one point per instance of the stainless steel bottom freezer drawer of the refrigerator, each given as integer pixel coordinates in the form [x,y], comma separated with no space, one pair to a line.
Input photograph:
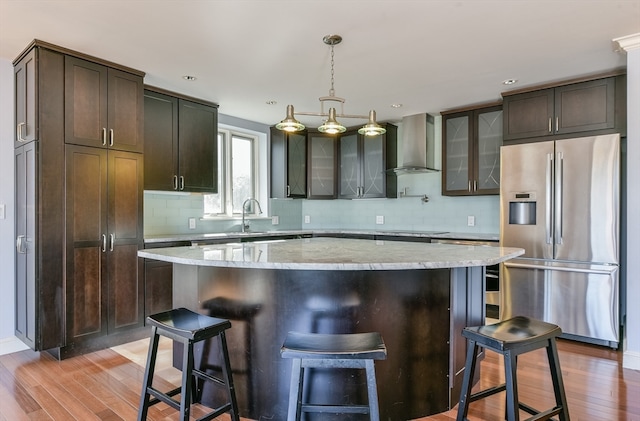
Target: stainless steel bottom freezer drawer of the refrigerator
[580,298]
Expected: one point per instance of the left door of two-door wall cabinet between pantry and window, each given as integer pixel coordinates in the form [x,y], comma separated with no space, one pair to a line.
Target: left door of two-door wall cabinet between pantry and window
[160,141]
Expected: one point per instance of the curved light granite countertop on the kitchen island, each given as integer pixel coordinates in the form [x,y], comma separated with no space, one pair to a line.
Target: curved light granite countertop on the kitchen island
[326,253]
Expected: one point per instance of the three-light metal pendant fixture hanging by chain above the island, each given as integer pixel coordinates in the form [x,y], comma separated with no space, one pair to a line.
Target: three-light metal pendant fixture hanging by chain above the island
[331,124]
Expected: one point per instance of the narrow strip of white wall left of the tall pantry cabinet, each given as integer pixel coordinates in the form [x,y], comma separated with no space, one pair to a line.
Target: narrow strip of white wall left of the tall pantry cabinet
[6,199]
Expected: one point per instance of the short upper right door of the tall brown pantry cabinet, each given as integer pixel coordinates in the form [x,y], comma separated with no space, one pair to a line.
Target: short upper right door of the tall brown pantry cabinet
[125,111]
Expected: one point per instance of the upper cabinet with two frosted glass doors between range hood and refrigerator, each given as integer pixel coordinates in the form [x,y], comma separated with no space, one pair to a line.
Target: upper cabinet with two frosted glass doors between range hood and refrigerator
[471,151]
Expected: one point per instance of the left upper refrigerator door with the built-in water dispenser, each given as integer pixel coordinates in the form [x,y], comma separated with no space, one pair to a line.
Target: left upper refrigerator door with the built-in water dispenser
[526,198]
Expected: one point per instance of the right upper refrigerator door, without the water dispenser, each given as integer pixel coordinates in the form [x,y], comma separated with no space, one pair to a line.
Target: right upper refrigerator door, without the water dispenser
[587,199]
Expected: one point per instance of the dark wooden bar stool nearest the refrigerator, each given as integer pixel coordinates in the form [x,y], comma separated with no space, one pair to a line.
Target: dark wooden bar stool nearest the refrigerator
[511,338]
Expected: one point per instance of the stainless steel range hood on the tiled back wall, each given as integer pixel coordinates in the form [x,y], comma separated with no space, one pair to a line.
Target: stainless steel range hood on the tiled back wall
[418,144]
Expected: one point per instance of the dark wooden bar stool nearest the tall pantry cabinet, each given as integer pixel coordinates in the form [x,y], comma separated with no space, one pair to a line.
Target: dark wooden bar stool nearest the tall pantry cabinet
[187,327]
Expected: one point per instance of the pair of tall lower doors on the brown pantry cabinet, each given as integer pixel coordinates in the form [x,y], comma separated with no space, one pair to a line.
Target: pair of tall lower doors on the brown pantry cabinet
[104,291]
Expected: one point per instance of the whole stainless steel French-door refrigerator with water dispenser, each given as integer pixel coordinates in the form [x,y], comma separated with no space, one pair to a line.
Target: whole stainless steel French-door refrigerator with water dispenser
[559,200]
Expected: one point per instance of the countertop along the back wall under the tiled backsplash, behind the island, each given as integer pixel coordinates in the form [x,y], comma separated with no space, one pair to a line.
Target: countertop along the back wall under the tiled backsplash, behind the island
[257,234]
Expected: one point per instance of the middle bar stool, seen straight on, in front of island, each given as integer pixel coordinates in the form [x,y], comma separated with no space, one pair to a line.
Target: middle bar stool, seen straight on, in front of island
[317,350]
